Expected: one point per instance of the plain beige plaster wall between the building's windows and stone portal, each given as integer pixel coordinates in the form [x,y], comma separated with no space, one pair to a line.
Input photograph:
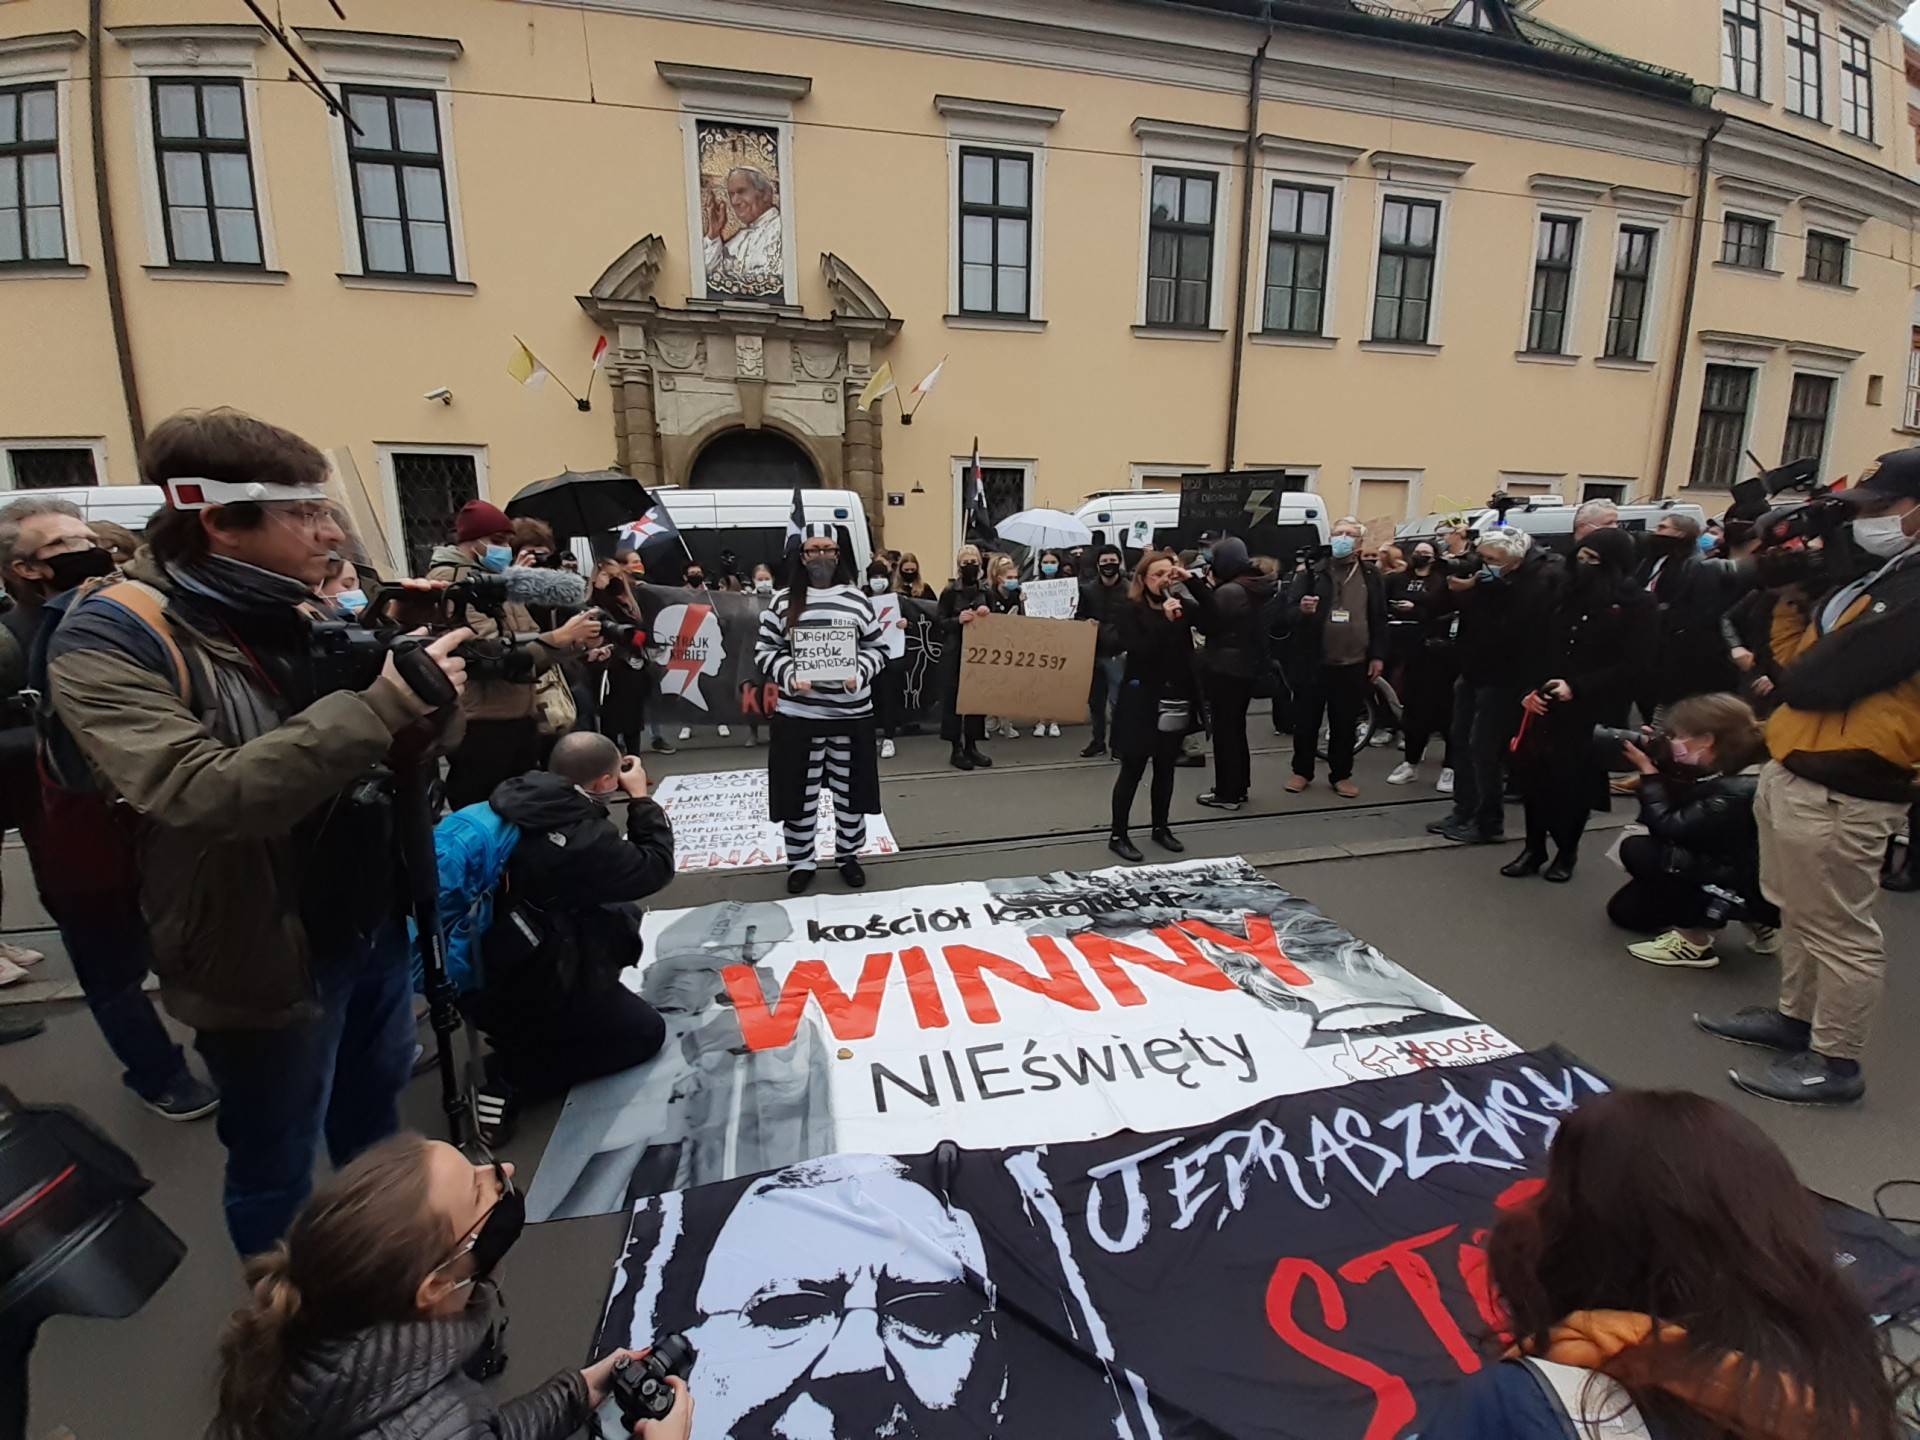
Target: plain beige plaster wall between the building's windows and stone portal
[552,189]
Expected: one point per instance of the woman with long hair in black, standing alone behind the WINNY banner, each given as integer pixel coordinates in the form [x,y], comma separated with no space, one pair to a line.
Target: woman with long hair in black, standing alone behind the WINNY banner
[1159,698]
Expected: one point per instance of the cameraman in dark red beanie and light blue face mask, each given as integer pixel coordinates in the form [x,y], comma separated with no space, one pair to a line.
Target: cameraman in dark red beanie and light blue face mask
[504,734]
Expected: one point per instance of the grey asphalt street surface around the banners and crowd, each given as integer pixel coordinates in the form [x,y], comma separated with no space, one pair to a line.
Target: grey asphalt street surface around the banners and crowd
[1533,959]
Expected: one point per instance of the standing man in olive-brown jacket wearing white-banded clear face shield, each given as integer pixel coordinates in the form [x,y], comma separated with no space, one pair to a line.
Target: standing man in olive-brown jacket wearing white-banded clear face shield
[264,809]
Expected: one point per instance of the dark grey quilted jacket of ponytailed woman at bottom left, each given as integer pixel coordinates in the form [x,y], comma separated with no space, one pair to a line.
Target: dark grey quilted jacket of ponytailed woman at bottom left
[406,1383]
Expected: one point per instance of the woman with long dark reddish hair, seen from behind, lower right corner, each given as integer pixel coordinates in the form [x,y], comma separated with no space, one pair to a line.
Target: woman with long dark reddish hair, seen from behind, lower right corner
[1673,1268]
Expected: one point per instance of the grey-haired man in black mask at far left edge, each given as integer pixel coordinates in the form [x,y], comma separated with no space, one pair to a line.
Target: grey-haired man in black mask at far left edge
[47,554]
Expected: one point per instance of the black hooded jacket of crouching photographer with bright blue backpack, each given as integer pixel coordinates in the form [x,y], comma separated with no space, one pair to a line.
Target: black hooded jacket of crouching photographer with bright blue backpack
[579,873]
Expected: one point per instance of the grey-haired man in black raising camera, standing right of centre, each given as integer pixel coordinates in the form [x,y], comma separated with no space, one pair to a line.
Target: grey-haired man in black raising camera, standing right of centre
[1504,594]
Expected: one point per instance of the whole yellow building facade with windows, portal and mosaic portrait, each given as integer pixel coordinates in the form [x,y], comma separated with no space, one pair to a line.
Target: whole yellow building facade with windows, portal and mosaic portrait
[1410,256]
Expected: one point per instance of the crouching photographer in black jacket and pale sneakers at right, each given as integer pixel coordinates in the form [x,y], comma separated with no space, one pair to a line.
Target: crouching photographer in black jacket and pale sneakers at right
[1700,861]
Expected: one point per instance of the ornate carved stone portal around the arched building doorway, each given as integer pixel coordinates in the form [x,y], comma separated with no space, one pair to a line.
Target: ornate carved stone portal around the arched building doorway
[683,377]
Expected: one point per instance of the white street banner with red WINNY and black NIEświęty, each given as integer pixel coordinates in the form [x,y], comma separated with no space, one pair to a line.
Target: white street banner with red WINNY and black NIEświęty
[988,1013]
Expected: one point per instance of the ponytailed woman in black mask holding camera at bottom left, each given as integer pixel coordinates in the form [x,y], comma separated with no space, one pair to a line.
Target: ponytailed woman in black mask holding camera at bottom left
[364,1322]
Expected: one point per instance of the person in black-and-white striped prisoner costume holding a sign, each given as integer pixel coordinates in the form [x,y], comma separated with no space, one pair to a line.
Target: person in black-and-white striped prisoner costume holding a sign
[823,732]
